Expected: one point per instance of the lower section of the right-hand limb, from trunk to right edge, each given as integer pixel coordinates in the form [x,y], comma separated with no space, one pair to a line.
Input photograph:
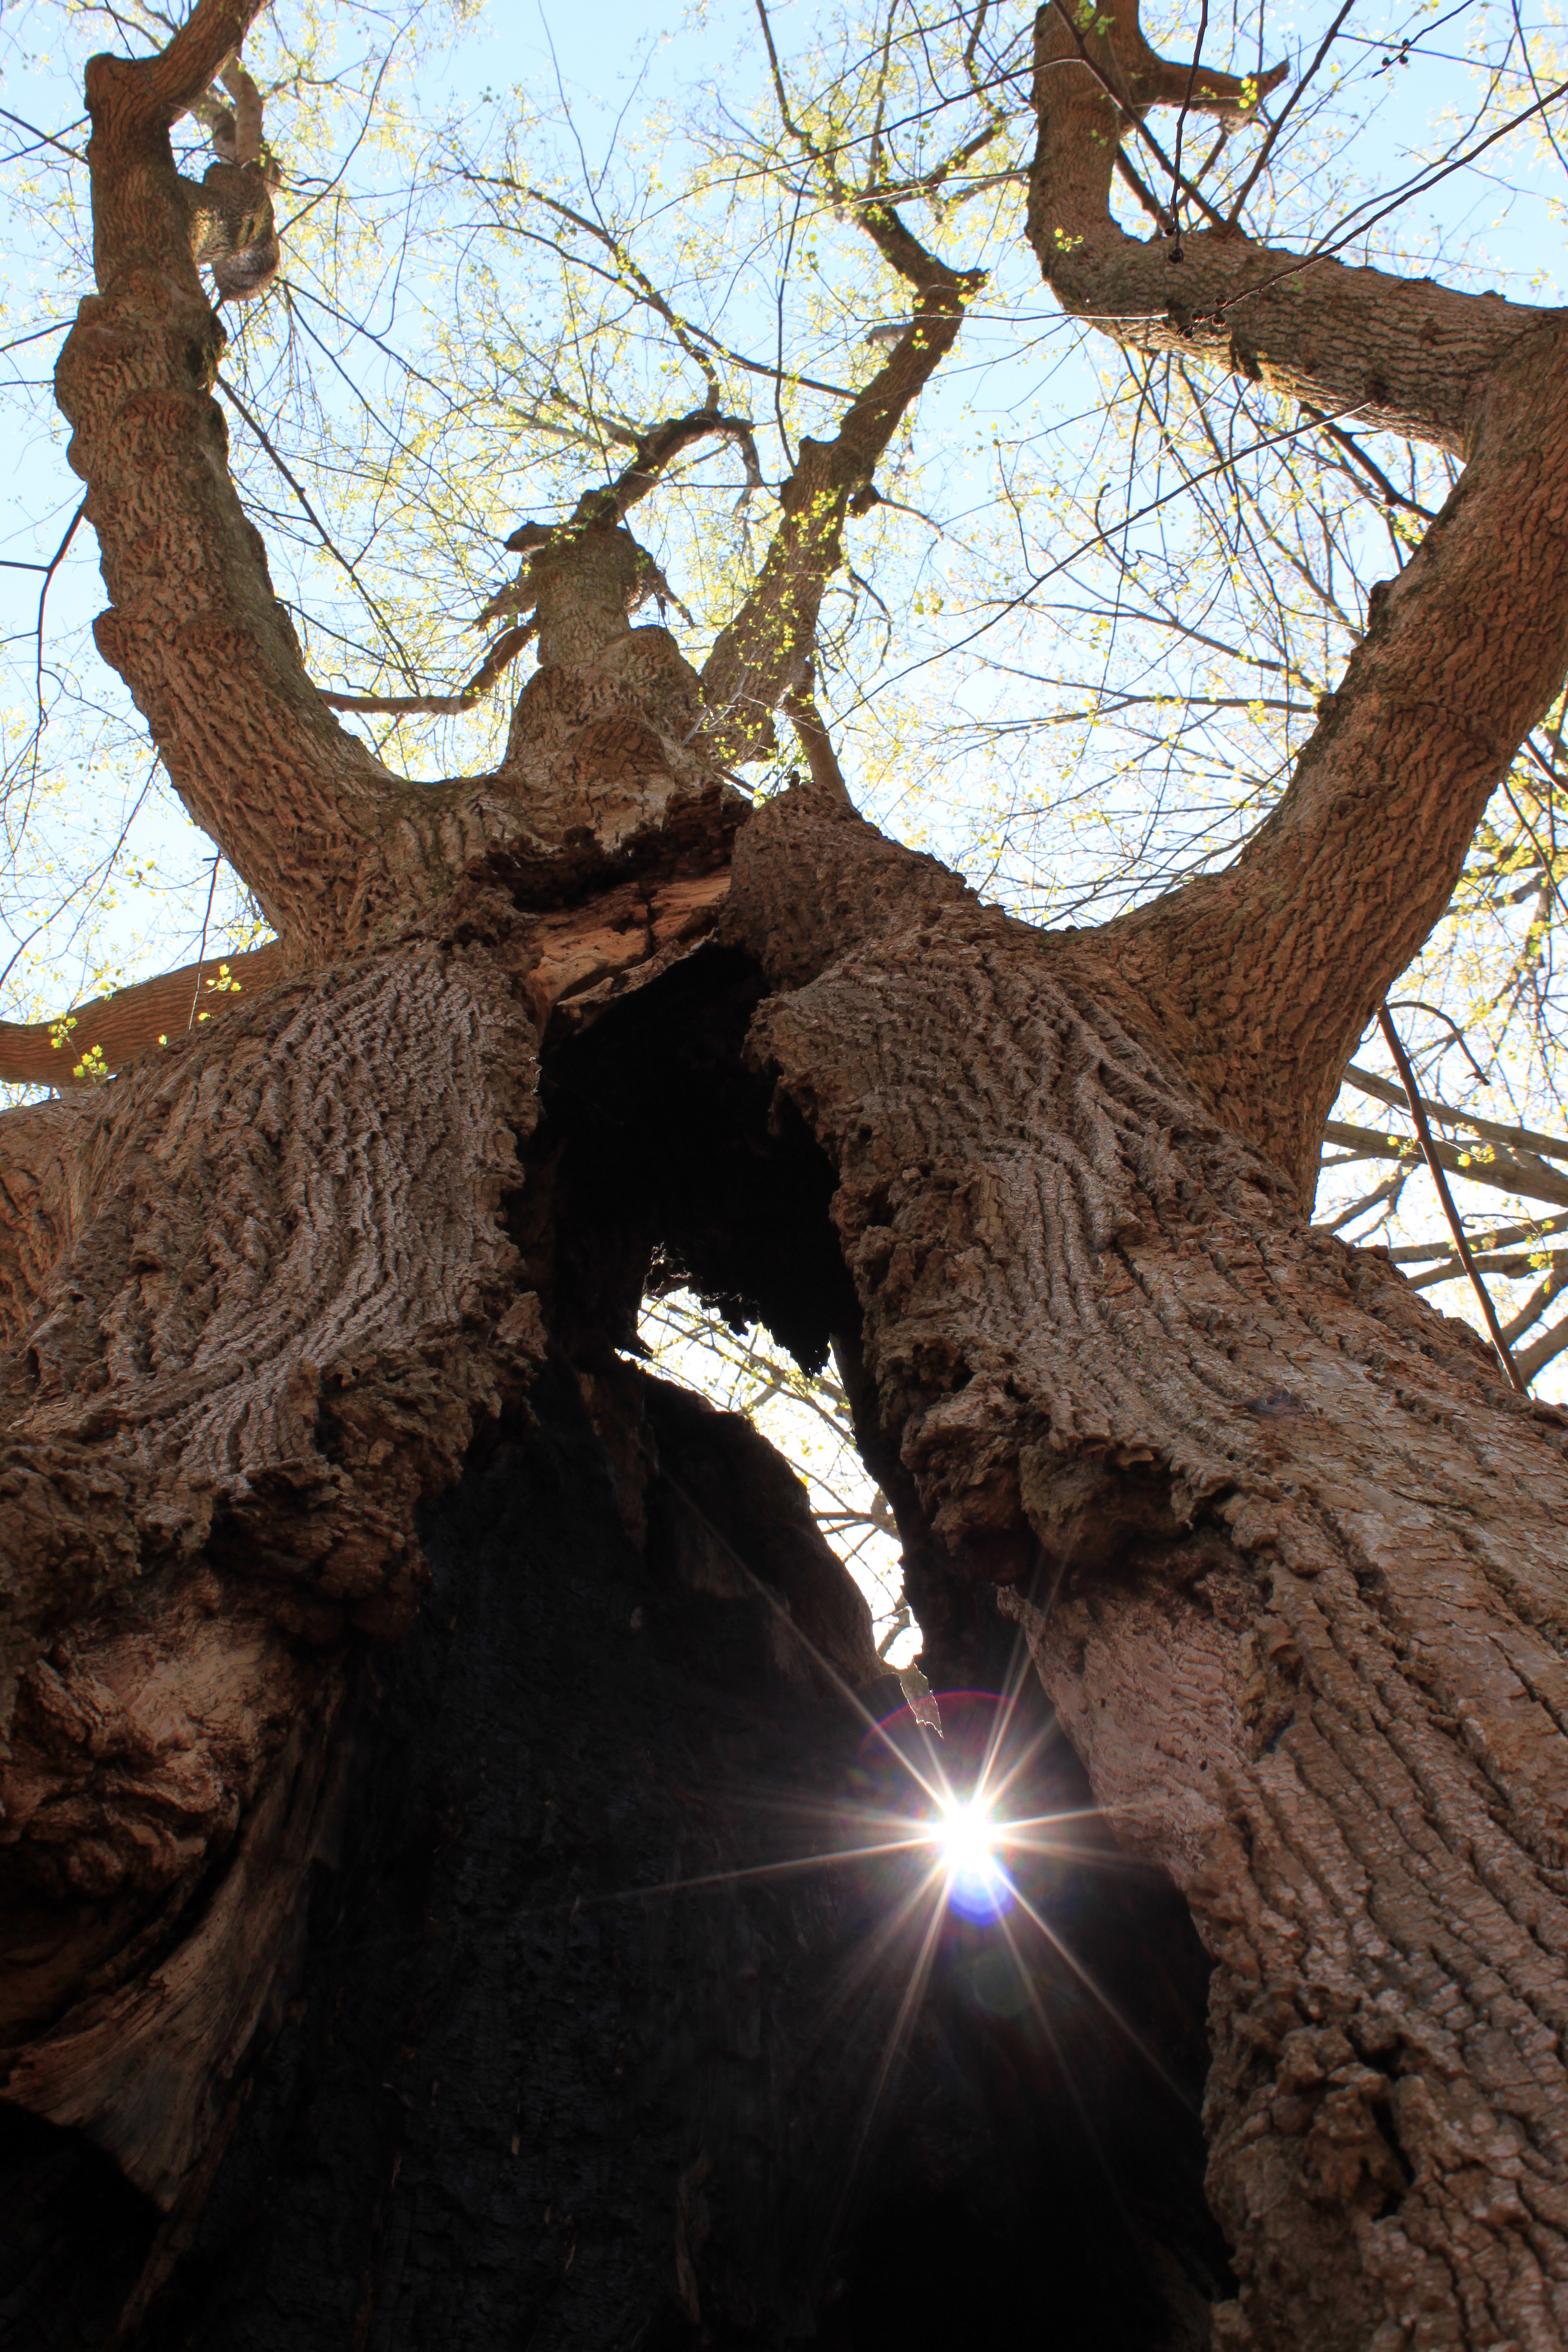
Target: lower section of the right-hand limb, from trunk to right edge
[1278,965]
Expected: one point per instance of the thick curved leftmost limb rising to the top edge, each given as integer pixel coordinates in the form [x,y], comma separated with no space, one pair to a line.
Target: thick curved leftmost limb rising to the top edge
[194,622]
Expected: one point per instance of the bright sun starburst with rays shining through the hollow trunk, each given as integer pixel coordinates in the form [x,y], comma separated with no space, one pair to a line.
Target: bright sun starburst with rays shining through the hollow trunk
[944,1878]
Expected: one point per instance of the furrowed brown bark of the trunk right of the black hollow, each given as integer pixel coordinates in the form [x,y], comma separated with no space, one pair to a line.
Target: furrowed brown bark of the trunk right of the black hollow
[1289,1561]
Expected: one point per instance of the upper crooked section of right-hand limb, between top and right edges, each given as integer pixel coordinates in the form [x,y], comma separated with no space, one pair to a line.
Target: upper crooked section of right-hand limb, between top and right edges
[1409,356]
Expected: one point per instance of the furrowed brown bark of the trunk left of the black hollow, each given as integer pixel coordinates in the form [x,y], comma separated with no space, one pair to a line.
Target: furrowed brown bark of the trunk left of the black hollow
[260,1297]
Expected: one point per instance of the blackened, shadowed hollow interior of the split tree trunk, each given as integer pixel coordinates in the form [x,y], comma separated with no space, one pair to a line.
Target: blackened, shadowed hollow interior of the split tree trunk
[582,2057]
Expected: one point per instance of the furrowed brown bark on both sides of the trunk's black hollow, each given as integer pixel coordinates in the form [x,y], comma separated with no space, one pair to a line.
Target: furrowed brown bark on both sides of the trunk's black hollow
[1287,1556]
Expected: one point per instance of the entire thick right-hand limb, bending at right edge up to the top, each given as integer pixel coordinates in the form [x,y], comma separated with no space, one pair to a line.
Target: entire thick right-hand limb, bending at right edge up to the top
[1268,973]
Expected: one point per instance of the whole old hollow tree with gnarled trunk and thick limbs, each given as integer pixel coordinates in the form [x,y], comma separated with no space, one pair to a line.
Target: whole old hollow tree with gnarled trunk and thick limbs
[380,1641]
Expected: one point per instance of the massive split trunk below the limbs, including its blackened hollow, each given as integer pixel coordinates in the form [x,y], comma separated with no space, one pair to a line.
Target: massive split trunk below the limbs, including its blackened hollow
[302,1951]
